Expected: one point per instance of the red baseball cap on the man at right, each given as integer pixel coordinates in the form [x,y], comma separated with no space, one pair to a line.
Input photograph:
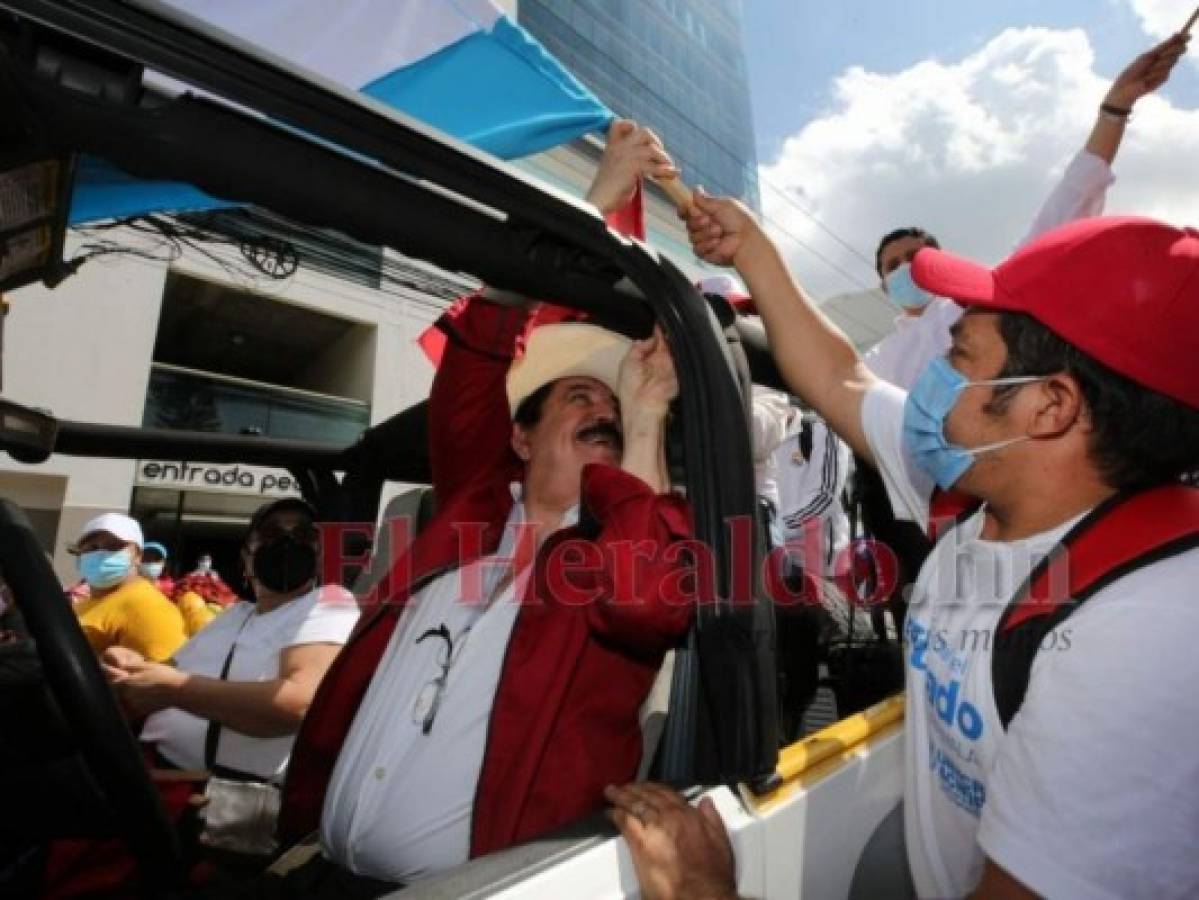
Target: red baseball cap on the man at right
[1123,291]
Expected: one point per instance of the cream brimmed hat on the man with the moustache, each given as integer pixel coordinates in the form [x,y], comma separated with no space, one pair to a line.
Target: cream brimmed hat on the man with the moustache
[567,351]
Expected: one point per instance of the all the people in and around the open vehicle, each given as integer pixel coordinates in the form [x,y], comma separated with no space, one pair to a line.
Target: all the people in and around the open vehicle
[495,693]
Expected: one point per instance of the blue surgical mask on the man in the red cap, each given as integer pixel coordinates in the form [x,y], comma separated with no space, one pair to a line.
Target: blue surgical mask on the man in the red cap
[924,421]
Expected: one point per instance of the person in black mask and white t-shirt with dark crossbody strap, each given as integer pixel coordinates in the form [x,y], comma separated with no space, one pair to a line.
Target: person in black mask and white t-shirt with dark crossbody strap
[237,693]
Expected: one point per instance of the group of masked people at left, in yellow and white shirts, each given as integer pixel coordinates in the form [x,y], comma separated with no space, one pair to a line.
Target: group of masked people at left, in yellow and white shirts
[215,686]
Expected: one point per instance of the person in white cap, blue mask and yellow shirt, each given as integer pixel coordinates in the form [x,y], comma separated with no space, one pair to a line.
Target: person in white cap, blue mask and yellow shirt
[123,607]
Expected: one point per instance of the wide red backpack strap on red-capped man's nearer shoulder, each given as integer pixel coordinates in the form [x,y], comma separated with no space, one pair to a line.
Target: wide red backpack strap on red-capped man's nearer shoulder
[1117,535]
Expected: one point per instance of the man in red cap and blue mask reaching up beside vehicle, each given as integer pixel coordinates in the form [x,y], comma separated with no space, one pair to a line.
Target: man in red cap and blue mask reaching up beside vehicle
[1050,647]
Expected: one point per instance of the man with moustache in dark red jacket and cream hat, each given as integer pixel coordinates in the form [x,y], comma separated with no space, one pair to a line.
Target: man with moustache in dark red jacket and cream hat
[495,692]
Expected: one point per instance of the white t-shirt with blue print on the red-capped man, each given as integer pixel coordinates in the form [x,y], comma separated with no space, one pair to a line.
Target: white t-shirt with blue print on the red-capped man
[1094,790]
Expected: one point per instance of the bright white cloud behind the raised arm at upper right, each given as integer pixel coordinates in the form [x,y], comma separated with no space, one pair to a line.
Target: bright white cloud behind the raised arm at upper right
[968,150]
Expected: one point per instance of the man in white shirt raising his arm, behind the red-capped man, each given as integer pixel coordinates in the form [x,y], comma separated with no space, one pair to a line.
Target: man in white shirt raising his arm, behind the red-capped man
[923,330]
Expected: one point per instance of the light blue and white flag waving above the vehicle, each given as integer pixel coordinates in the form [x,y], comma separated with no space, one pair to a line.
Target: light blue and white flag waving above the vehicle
[459,65]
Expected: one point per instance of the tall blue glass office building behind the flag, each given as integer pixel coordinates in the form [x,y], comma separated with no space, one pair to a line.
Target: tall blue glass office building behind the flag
[676,65]
